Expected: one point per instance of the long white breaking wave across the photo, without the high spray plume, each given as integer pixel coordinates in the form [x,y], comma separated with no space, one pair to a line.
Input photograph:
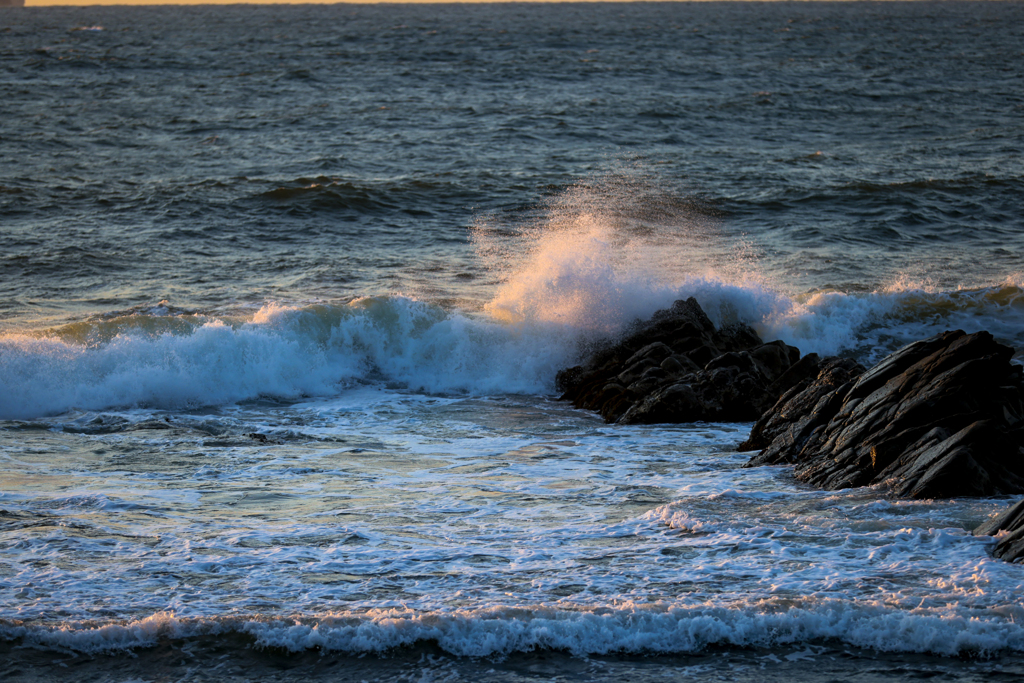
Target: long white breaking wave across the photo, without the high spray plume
[290,353]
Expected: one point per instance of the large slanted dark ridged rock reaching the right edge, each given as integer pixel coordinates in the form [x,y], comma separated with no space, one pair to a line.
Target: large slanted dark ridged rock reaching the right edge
[940,418]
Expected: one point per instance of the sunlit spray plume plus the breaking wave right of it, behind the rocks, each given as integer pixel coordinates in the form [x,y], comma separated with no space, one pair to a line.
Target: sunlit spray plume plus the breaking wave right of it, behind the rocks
[619,246]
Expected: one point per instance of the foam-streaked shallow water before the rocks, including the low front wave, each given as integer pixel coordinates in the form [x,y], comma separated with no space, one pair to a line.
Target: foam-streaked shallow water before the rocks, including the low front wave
[487,527]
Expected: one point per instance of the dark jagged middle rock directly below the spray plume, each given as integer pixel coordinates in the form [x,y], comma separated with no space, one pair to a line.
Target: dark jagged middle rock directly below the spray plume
[679,368]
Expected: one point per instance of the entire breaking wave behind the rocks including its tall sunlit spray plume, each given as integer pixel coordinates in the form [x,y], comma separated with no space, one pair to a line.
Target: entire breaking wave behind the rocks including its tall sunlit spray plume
[595,259]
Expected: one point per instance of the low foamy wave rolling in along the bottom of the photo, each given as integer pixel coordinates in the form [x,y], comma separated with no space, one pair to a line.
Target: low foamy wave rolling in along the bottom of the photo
[659,628]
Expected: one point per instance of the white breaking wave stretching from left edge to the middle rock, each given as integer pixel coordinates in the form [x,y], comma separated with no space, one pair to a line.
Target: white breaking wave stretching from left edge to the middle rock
[284,353]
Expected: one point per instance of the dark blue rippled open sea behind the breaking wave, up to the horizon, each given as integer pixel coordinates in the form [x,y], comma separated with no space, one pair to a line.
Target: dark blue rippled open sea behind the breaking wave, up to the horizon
[212,156]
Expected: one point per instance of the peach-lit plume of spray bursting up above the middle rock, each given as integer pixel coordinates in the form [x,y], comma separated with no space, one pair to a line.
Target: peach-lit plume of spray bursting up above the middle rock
[600,255]
